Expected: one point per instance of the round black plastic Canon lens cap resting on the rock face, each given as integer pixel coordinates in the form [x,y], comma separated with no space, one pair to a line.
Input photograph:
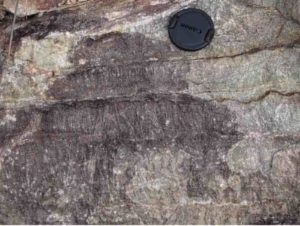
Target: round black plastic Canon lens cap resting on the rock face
[191,29]
